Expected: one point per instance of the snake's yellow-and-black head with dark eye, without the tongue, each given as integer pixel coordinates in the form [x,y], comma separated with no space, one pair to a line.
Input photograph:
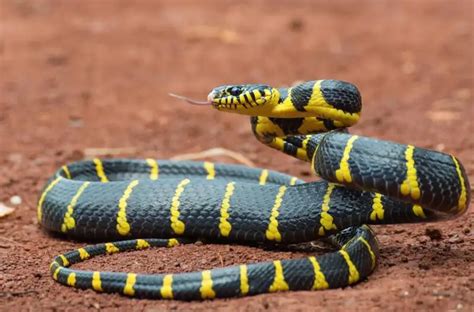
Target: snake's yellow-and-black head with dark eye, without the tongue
[242,98]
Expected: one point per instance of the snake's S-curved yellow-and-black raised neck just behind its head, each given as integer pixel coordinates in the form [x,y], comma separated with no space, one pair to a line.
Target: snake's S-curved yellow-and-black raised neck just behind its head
[293,120]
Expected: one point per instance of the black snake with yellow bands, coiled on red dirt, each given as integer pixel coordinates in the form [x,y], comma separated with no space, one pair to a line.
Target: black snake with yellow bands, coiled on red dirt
[133,204]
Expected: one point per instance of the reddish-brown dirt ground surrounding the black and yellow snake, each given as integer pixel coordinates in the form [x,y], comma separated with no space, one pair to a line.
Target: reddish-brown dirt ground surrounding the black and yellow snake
[76,75]
